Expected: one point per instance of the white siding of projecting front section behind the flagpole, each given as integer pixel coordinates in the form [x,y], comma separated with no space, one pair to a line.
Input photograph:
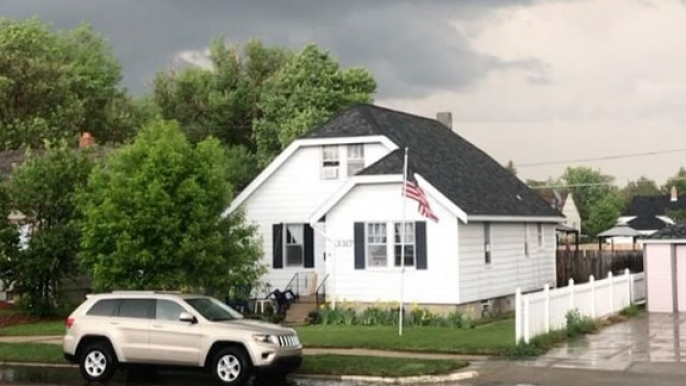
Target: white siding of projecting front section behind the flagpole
[383,203]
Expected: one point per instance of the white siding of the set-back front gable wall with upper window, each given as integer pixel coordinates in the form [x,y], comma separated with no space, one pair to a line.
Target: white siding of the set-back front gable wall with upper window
[291,195]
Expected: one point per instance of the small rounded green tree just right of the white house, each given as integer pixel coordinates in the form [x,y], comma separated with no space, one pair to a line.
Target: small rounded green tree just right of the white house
[588,186]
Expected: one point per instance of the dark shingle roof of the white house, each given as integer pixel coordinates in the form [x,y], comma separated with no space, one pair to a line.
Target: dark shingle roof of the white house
[467,176]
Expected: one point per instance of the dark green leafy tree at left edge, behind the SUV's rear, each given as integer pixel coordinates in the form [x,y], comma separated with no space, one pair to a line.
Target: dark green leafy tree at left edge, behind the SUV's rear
[44,189]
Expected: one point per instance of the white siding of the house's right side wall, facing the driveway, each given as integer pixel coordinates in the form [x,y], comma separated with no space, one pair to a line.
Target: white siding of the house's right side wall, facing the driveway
[509,267]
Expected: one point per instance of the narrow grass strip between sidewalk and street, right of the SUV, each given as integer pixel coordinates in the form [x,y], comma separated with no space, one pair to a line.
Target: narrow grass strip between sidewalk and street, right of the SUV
[376,366]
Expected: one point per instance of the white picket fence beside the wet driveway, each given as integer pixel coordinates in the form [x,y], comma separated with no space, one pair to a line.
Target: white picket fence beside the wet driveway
[540,312]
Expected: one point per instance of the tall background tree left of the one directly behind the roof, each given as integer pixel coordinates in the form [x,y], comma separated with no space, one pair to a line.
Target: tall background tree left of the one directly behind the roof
[221,101]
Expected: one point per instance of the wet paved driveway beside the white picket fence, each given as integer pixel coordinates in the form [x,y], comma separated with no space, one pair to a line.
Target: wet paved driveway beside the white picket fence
[648,340]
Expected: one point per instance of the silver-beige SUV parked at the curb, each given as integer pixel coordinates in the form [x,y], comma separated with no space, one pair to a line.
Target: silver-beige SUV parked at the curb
[170,329]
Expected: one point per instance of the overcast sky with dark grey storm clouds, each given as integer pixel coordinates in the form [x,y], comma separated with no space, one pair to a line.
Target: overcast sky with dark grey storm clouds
[529,81]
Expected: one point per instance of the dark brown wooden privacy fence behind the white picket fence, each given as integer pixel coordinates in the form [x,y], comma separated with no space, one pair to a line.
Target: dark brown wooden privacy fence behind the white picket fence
[582,264]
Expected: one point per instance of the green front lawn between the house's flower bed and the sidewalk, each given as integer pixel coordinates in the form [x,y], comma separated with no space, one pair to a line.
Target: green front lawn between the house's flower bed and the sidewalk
[490,339]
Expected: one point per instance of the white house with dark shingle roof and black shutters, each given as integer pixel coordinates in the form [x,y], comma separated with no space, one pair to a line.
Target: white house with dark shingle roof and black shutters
[330,208]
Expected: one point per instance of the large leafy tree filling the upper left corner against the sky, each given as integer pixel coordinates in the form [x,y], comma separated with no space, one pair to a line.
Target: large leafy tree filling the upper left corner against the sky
[54,85]
